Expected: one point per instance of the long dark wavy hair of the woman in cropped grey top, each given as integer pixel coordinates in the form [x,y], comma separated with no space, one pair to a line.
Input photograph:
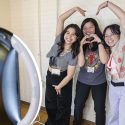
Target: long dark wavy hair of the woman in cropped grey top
[75,45]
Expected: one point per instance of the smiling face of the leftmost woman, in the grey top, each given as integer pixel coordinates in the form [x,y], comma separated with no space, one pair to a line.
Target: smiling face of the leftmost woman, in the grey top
[70,36]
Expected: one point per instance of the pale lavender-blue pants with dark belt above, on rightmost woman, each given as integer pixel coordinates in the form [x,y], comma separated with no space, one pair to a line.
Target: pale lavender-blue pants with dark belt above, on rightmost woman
[117,103]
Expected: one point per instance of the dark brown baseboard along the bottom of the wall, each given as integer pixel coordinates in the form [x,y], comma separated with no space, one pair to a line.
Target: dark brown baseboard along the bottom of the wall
[44,109]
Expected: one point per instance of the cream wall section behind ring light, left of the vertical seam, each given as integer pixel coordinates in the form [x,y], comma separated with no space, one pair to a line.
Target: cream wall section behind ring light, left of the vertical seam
[24,23]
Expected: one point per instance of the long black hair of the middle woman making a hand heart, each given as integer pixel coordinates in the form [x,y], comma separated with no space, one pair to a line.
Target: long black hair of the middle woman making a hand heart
[97,32]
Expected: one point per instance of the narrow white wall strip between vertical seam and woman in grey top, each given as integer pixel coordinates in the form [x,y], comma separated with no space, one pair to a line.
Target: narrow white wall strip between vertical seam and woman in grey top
[48,17]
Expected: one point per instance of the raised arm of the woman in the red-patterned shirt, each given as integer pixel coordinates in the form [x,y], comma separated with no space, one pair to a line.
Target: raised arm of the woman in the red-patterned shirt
[115,9]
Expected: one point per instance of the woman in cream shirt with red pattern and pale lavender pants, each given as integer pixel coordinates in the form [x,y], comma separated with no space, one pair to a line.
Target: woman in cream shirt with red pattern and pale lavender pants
[114,36]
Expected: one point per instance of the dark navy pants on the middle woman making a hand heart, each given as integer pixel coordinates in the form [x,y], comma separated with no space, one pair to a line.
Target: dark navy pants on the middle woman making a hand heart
[99,97]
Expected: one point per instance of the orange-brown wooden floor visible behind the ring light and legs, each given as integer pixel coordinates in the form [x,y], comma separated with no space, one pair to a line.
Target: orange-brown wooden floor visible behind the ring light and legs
[42,117]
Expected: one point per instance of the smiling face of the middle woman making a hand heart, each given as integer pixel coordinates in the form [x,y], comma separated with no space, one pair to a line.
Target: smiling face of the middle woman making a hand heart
[88,28]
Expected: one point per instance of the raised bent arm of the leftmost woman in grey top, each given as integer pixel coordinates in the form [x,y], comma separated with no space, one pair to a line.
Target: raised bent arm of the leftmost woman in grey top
[66,15]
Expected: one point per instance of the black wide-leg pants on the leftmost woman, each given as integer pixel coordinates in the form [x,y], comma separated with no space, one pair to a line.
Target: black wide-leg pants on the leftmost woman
[58,107]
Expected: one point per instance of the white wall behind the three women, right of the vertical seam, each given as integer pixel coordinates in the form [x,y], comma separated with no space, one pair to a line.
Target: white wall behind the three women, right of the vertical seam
[106,17]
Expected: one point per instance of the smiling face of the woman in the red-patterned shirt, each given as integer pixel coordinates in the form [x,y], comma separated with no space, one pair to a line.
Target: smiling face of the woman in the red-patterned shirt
[111,38]
